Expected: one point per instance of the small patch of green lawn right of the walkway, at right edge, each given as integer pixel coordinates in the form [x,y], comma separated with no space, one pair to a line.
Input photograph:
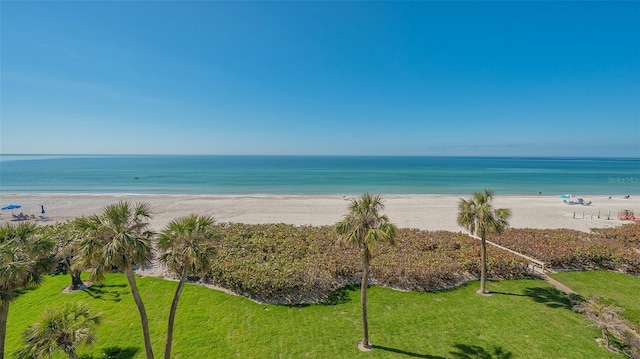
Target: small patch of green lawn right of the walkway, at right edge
[621,289]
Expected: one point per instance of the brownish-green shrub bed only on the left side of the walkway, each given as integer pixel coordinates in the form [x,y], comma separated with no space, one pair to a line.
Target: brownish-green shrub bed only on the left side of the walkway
[281,263]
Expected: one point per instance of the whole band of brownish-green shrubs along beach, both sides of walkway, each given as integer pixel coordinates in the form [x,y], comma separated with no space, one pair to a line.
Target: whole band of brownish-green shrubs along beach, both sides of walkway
[280,263]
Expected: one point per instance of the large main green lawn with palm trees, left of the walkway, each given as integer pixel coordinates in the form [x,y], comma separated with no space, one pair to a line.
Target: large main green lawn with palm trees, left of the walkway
[522,319]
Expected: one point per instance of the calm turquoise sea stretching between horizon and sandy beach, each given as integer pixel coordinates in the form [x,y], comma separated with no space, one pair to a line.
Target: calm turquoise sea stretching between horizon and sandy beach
[316,175]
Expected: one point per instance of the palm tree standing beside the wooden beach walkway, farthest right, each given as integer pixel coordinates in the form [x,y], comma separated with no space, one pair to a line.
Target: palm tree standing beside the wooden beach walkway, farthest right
[480,218]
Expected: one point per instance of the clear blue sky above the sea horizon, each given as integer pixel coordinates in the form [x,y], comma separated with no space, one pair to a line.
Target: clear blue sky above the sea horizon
[505,78]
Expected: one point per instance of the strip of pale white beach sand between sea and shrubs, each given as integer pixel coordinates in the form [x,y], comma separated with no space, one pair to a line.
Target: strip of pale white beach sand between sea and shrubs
[424,212]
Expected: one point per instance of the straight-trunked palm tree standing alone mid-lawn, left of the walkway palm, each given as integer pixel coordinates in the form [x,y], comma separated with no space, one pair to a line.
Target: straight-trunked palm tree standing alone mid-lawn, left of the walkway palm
[364,226]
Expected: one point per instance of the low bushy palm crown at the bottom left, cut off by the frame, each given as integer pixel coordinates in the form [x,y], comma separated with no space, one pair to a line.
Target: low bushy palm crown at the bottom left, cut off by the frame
[64,329]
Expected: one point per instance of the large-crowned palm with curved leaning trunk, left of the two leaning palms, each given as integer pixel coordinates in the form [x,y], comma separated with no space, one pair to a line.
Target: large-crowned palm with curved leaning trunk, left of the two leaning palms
[119,238]
